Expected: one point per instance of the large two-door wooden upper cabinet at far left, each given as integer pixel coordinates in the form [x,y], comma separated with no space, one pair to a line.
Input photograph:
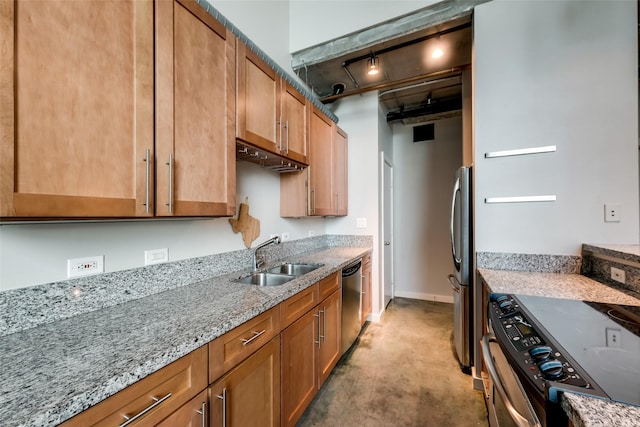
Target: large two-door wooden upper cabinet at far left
[78,140]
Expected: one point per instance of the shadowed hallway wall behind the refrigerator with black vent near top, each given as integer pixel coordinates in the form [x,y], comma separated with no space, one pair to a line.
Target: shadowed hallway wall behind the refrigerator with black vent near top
[424,177]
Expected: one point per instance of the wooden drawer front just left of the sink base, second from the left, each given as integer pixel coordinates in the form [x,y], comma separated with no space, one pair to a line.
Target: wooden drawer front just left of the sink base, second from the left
[227,351]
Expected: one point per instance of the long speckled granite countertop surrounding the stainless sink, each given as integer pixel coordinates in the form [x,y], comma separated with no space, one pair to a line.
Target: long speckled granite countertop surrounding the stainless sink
[56,370]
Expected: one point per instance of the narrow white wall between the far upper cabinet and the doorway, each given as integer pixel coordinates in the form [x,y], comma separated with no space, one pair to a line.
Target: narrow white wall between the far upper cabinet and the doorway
[359,118]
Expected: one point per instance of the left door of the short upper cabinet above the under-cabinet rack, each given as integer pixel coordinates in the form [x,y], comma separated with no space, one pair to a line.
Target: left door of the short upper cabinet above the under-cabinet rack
[258,111]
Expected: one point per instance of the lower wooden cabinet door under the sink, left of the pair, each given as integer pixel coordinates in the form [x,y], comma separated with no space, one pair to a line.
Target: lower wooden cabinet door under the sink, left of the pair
[300,343]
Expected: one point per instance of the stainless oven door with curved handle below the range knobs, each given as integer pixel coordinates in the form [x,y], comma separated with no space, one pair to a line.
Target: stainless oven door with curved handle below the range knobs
[507,402]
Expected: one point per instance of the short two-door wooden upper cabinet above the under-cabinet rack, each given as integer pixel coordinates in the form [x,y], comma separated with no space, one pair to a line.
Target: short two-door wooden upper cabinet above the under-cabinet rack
[271,114]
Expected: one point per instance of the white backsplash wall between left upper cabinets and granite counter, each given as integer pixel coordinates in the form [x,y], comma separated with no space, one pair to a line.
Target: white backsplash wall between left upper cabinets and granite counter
[36,253]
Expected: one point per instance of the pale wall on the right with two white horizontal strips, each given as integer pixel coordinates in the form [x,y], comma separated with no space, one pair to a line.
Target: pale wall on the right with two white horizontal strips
[556,73]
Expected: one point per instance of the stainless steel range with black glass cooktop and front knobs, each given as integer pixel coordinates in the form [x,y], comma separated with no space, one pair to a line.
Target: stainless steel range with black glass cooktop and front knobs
[552,345]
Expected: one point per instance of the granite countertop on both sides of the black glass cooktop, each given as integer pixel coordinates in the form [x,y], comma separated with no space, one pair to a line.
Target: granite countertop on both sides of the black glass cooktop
[583,411]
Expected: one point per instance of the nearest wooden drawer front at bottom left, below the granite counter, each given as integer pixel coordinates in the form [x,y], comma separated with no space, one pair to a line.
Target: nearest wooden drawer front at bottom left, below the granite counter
[172,386]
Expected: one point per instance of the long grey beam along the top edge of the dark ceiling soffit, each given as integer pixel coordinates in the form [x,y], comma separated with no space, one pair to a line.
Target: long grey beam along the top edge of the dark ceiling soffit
[430,16]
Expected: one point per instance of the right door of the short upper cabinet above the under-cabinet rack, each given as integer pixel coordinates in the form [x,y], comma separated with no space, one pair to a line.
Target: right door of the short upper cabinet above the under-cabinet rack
[294,124]
